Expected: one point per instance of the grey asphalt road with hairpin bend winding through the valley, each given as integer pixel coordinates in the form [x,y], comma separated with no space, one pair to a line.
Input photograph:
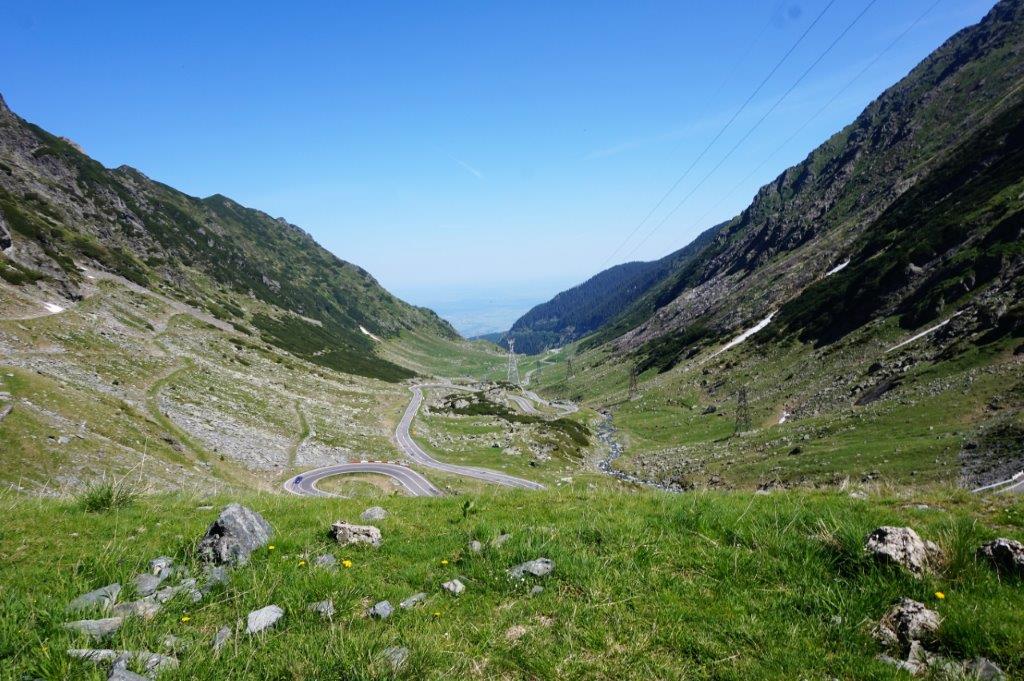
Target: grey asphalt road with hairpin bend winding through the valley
[414,483]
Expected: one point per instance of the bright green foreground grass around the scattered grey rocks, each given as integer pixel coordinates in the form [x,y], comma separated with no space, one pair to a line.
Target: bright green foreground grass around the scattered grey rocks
[703,585]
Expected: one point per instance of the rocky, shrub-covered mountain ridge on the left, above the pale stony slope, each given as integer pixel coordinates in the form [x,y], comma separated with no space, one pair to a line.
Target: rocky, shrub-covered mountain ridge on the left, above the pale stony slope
[61,210]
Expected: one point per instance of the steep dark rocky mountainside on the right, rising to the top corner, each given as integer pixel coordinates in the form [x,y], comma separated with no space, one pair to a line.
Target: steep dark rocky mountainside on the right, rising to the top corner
[913,209]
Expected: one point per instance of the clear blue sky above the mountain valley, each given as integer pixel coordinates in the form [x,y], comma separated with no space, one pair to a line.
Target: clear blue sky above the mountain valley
[460,151]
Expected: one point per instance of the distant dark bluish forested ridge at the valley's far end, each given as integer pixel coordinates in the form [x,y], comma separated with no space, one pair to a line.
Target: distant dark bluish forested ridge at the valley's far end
[585,309]
